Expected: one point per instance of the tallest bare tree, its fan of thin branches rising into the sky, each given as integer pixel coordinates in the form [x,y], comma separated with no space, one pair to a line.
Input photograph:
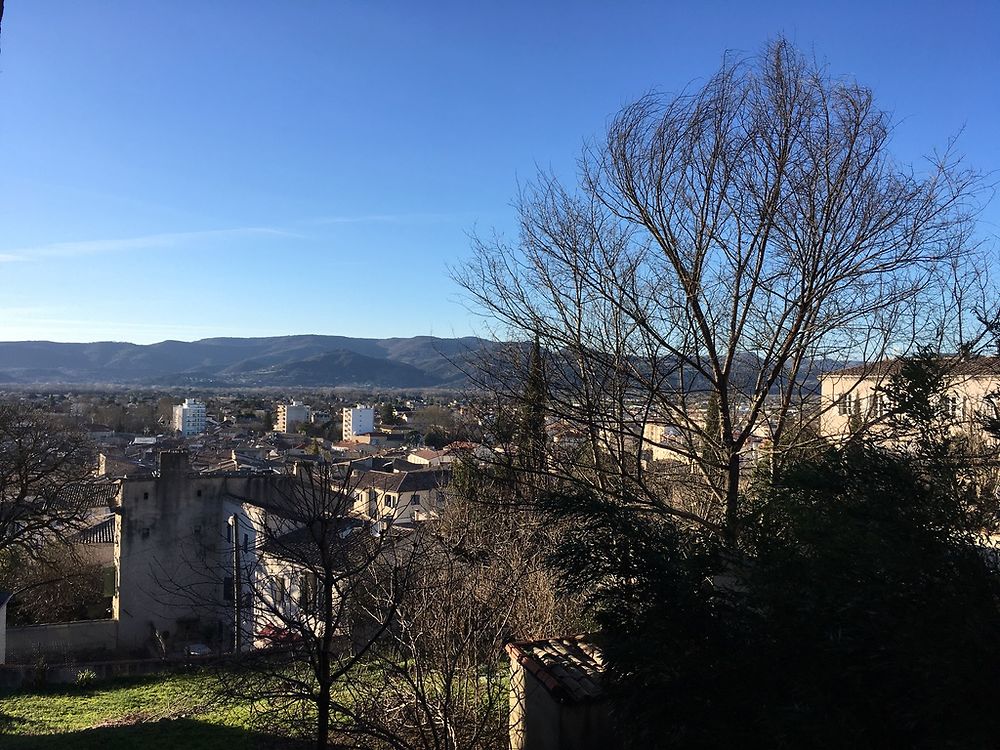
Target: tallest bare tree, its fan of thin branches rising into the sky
[727,243]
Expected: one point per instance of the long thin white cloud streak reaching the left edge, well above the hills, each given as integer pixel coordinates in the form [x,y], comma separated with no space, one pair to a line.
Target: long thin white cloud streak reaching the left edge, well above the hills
[164,240]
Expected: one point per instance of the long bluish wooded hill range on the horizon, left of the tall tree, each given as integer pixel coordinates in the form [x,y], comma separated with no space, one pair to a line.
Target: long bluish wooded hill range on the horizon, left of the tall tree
[309,360]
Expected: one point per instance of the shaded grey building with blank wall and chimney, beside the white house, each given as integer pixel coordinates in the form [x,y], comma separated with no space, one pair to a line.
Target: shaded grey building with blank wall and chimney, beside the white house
[174,542]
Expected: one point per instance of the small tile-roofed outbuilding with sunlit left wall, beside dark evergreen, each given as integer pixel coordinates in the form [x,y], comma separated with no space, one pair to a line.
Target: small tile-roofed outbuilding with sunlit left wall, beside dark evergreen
[556,697]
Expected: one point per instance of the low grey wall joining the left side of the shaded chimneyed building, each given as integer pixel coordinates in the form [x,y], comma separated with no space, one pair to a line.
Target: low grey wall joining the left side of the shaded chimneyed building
[60,641]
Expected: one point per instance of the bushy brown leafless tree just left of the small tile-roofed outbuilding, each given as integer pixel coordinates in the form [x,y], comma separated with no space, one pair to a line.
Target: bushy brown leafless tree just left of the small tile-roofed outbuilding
[439,680]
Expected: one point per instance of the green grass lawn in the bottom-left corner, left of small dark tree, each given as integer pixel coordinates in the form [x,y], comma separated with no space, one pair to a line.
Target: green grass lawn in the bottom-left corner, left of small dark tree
[168,712]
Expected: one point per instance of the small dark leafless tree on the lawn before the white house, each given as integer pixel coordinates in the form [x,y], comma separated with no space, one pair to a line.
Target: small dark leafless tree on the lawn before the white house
[296,595]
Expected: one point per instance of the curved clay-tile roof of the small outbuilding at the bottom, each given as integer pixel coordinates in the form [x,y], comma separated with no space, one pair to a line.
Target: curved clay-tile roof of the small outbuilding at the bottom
[569,668]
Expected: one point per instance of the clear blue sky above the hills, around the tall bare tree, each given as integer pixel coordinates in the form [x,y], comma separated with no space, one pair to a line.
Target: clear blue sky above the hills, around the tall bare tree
[179,170]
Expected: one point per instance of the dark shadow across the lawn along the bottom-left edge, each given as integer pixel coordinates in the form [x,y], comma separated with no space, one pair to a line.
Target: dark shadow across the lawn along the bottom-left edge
[173,734]
